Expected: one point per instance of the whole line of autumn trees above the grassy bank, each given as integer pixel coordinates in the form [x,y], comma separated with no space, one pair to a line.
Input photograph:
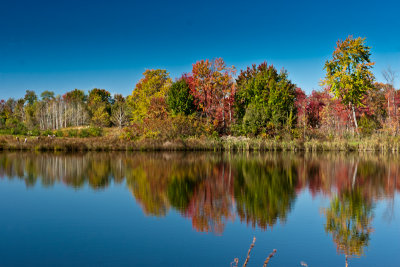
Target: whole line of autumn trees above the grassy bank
[212,100]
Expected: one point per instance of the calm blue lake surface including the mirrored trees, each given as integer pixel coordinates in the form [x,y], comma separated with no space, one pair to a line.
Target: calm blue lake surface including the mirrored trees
[198,209]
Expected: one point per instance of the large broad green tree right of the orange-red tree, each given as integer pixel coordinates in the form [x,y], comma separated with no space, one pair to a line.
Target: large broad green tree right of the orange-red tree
[264,99]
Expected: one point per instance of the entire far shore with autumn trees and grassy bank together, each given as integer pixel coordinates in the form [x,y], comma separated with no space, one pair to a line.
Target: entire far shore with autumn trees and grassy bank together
[212,108]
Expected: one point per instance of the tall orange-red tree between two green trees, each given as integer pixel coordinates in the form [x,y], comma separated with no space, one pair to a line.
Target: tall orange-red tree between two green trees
[212,85]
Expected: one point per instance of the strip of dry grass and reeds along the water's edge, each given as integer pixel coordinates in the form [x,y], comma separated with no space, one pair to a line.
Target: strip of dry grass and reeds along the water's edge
[109,143]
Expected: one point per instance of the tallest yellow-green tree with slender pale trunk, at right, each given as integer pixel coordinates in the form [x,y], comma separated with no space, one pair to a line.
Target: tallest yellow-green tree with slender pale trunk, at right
[348,73]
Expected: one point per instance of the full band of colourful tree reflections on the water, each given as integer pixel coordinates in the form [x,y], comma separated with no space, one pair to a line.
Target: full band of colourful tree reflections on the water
[212,189]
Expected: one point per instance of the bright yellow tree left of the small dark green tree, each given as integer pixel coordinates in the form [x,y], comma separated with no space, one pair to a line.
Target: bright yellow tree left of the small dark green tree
[154,84]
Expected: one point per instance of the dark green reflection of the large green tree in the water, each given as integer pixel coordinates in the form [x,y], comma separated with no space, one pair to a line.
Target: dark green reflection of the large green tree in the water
[264,190]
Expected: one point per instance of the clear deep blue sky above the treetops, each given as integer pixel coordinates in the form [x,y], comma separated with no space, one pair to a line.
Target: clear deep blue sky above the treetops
[62,45]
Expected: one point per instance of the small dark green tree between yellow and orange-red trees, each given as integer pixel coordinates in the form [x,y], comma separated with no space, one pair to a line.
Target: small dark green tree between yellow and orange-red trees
[179,99]
